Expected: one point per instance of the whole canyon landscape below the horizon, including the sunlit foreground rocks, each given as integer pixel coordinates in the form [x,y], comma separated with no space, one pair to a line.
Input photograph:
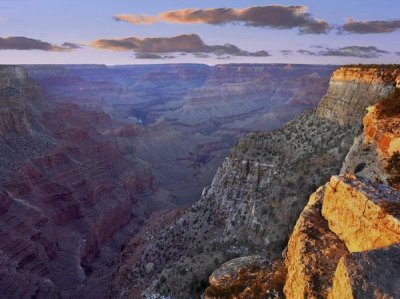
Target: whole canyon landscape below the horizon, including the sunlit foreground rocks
[120,182]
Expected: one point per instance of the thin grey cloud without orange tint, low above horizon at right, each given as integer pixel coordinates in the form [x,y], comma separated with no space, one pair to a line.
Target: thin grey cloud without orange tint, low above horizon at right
[351,51]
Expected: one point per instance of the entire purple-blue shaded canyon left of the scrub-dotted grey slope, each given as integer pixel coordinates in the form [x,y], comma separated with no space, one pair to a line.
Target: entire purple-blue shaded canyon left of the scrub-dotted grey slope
[91,154]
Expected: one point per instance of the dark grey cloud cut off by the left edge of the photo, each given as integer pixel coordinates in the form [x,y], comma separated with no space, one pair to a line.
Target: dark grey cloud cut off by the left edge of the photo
[25,43]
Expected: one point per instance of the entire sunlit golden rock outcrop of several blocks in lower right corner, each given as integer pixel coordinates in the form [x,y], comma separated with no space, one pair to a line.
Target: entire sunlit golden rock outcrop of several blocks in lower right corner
[354,220]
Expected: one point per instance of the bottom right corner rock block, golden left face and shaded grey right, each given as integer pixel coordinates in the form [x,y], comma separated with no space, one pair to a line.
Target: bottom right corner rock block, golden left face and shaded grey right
[368,274]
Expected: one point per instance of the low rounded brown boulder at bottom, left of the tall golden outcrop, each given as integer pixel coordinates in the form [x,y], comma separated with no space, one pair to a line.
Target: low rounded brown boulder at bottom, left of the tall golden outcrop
[247,277]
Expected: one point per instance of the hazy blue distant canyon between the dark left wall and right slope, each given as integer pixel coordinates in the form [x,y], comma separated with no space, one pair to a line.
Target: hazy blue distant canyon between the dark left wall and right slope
[184,119]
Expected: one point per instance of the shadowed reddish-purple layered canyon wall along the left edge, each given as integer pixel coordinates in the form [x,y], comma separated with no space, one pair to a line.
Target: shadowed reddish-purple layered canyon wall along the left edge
[63,198]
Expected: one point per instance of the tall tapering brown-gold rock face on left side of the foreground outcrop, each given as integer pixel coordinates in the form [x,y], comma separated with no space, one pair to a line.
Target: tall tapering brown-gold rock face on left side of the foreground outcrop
[313,253]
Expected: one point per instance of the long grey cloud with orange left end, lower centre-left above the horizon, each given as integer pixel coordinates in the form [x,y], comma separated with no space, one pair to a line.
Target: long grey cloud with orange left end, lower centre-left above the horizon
[187,43]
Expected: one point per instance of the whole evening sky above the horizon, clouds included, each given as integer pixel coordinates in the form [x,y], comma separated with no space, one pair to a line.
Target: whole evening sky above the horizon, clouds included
[221,31]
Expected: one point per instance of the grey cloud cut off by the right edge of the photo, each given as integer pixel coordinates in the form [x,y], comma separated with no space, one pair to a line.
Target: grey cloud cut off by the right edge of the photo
[367,27]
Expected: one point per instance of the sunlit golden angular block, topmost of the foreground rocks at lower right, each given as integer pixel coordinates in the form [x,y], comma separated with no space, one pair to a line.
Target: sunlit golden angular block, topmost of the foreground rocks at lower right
[364,215]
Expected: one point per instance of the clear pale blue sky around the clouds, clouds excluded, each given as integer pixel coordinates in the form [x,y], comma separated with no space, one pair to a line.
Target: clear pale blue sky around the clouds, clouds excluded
[84,21]
